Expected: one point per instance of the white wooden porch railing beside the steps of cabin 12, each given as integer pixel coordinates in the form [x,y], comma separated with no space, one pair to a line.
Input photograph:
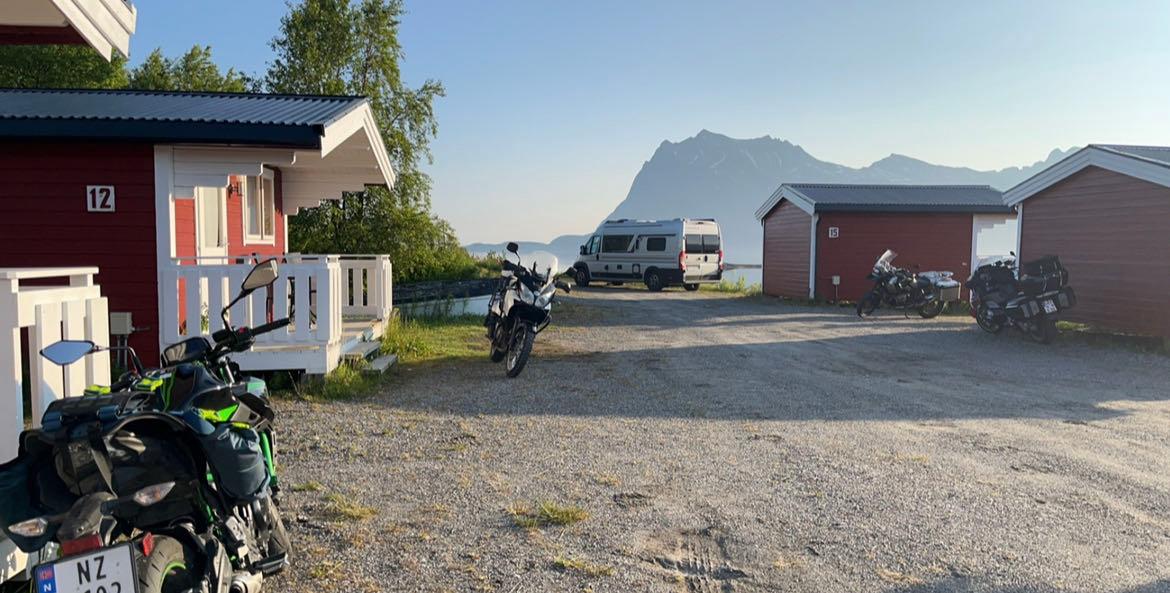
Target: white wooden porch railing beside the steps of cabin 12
[318,293]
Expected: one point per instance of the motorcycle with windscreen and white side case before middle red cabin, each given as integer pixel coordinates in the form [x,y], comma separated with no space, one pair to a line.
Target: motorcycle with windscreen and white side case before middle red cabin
[928,293]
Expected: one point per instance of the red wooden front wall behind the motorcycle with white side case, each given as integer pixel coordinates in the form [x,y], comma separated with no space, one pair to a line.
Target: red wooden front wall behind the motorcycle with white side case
[932,242]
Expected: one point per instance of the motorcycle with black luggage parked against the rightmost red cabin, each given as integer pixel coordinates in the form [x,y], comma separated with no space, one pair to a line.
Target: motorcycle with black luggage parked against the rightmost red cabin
[1029,299]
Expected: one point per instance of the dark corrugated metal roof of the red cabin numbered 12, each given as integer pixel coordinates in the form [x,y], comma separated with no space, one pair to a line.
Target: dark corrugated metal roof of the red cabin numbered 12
[159,116]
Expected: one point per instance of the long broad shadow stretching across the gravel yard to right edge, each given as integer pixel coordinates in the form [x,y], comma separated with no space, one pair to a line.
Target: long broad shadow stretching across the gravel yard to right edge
[909,376]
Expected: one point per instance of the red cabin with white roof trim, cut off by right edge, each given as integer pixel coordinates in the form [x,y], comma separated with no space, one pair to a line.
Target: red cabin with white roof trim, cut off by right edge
[1104,211]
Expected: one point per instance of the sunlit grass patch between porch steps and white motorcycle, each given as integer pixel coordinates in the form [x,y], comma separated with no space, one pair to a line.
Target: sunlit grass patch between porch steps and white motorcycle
[436,339]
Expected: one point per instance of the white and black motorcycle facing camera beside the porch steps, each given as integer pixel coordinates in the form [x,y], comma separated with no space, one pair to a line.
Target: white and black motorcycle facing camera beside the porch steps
[521,308]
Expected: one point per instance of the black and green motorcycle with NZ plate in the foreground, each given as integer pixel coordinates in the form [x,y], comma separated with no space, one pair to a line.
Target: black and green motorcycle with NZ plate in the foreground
[164,482]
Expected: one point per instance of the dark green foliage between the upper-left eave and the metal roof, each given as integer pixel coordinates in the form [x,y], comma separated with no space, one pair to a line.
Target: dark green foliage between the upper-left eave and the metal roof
[60,67]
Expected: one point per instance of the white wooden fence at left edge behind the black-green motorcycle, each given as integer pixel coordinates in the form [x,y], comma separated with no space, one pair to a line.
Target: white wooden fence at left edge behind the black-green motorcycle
[53,305]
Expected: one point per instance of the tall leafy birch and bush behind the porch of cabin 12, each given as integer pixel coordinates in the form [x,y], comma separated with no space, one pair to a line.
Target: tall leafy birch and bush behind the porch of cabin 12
[339,47]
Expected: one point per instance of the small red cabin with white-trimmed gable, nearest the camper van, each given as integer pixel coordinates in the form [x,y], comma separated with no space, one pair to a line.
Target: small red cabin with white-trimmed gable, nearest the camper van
[822,240]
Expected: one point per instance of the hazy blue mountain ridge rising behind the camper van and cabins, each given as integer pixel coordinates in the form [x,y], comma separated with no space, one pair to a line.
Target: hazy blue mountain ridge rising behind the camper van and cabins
[711,175]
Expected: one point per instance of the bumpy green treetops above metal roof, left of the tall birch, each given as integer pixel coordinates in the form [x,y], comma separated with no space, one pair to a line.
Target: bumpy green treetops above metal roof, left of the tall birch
[194,72]
